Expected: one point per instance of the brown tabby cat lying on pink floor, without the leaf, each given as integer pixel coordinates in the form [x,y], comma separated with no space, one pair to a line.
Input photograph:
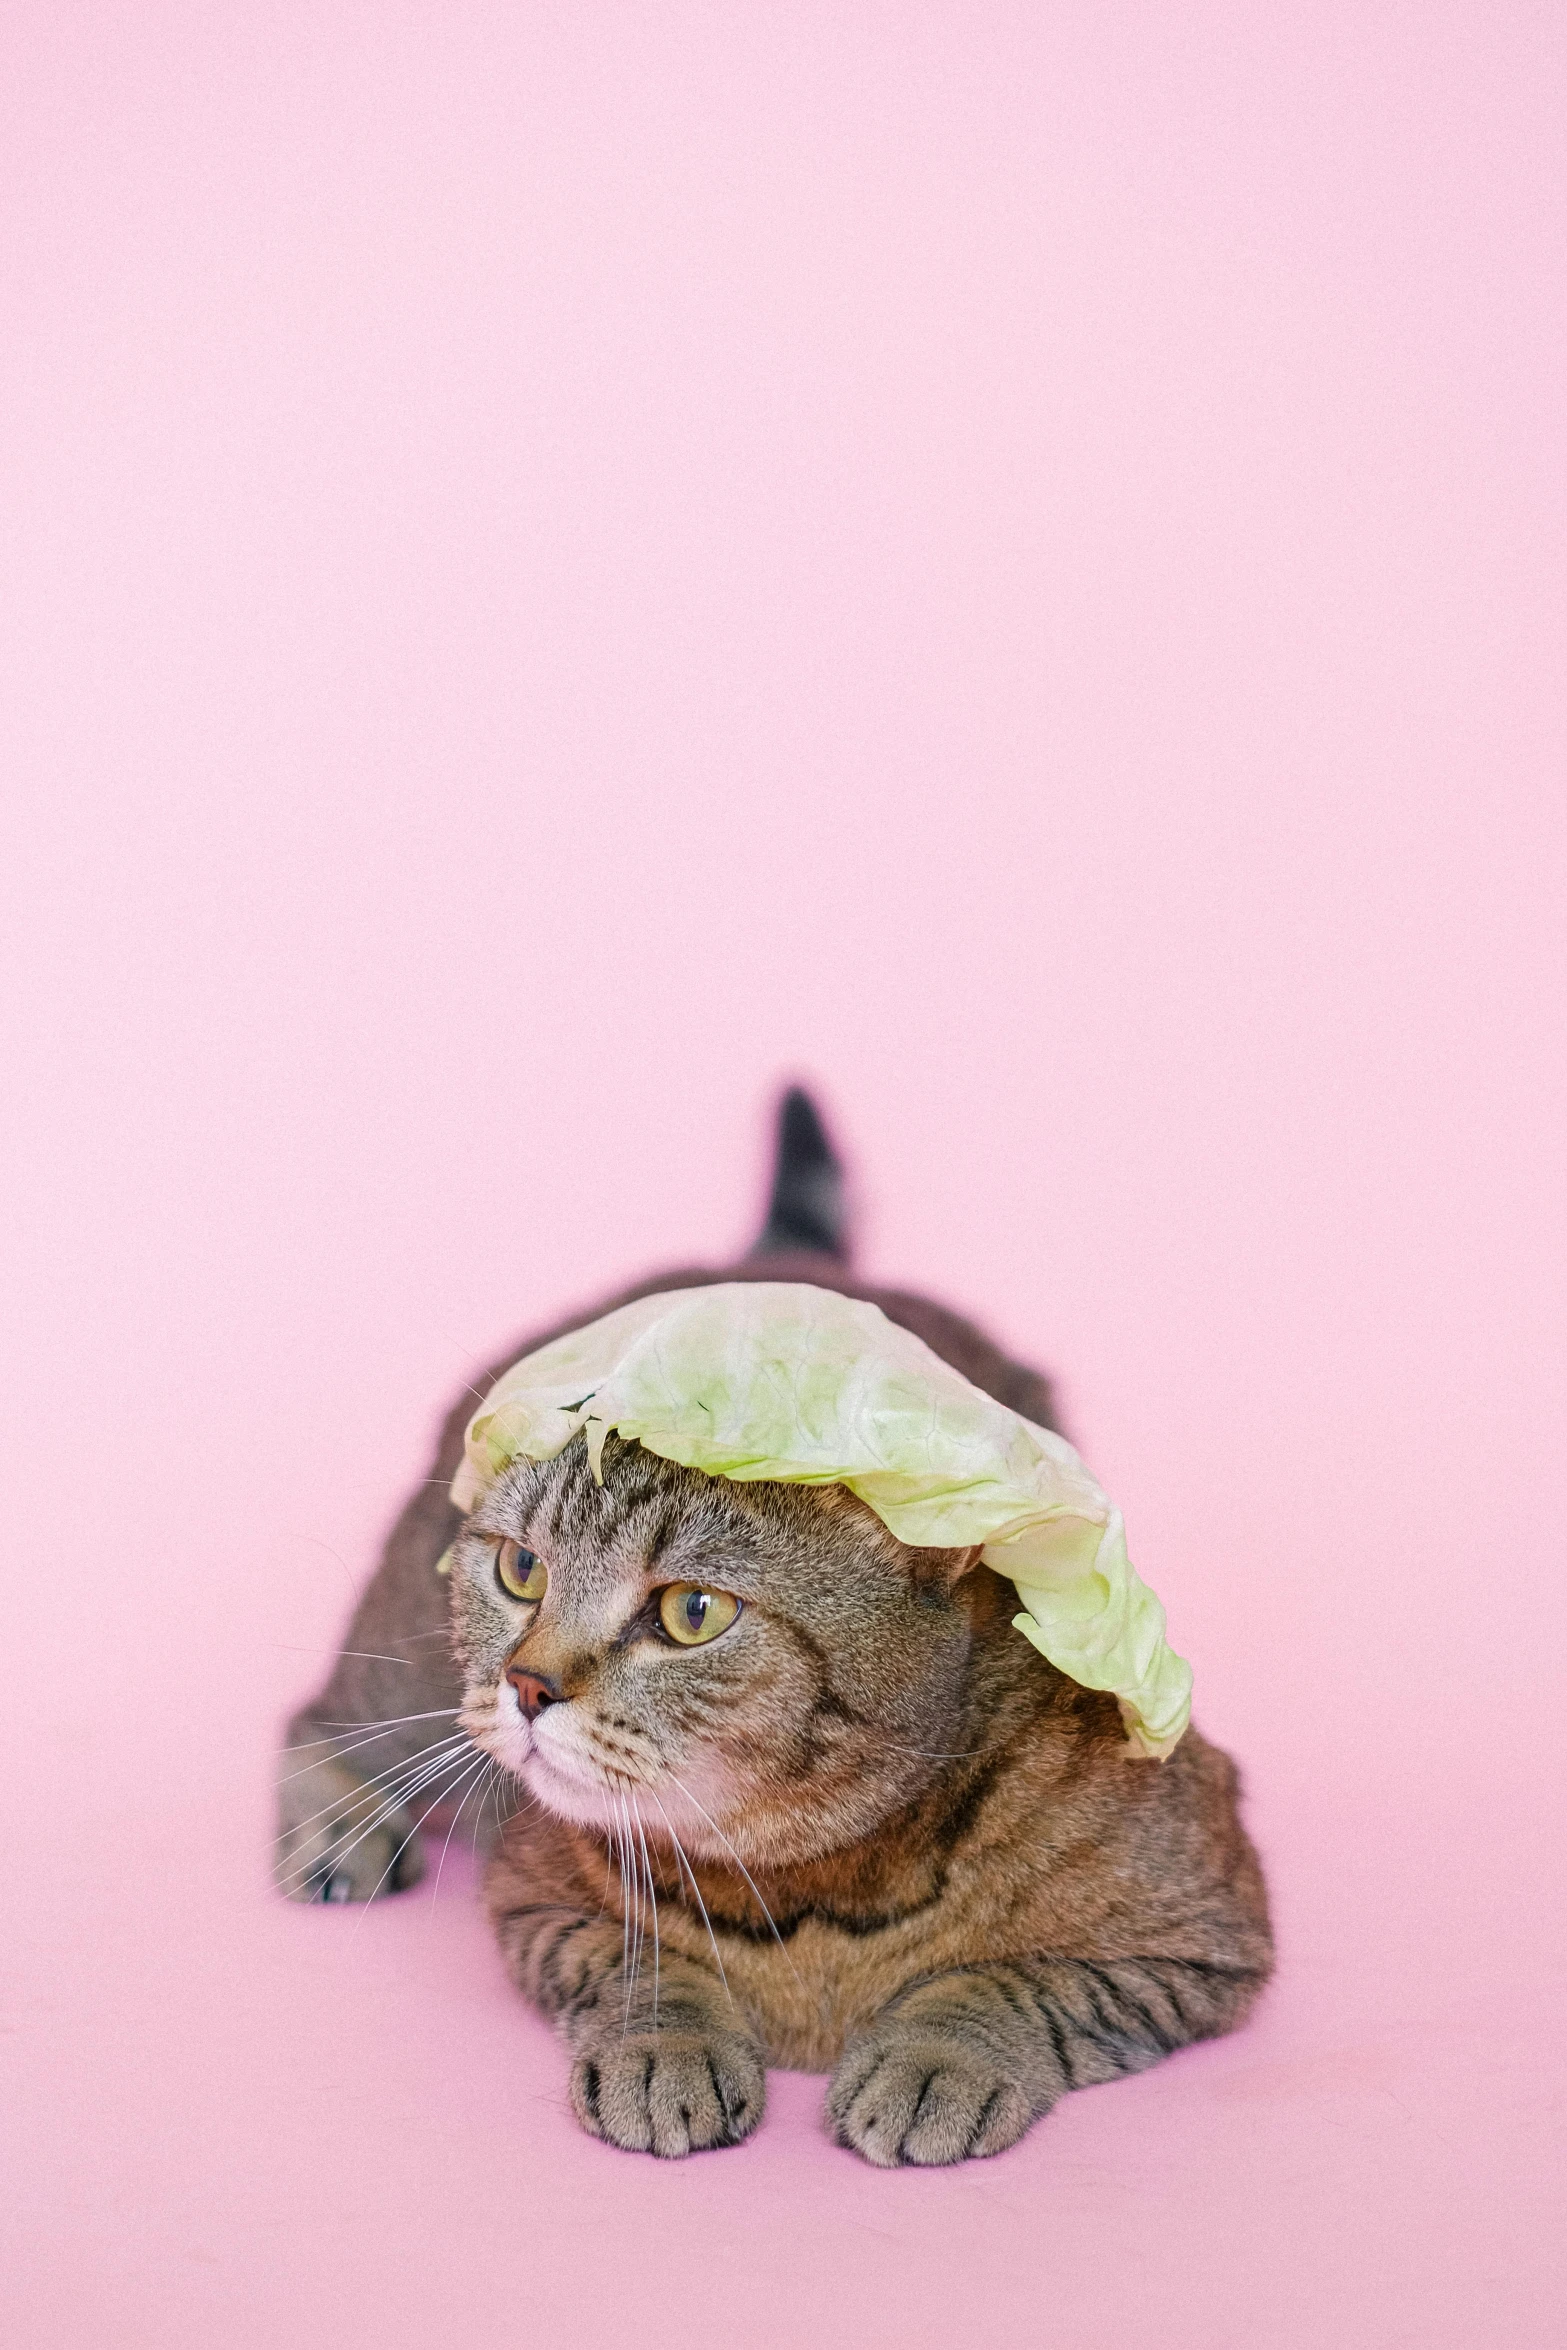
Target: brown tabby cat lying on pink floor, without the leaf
[875,1837]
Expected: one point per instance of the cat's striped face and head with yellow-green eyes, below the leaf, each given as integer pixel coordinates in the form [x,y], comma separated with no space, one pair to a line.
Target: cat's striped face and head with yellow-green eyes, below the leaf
[758,1667]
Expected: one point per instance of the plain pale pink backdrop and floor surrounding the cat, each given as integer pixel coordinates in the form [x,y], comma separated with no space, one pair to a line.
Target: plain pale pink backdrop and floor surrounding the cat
[565,563]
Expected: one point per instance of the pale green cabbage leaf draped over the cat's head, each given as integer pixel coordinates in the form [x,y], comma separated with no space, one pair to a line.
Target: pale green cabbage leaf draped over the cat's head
[805,1388]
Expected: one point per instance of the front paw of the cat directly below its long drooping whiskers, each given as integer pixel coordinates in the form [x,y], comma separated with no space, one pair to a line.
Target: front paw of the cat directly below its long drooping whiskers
[671,2093]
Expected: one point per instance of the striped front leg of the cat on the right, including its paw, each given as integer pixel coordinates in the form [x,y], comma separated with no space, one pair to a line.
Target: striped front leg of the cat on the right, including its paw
[964,2062]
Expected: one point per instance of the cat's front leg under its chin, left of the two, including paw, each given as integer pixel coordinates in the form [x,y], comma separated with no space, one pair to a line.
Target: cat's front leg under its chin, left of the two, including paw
[659,2069]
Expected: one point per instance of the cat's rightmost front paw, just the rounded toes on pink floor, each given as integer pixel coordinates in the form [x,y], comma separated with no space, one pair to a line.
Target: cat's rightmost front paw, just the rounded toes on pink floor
[924,2097]
